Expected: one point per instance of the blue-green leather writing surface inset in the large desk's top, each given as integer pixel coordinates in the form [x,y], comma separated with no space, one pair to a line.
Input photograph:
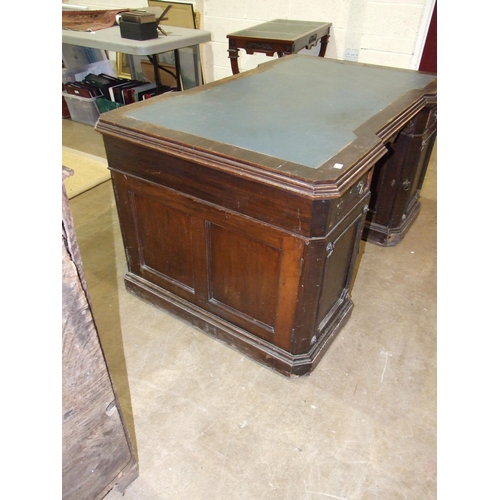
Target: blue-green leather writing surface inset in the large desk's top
[303,109]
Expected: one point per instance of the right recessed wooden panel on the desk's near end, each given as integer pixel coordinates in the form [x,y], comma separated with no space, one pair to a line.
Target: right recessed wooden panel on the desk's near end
[244,274]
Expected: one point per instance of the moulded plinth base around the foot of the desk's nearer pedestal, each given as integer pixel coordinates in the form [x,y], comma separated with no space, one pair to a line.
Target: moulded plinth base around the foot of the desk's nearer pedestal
[255,348]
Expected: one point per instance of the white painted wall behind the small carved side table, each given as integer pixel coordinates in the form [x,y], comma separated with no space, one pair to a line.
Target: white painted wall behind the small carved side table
[385,32]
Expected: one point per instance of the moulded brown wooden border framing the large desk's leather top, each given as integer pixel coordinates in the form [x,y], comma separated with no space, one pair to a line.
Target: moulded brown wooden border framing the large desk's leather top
[324,182]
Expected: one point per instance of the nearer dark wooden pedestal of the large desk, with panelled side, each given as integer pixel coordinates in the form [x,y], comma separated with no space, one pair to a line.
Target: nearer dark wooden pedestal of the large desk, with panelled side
[254,278]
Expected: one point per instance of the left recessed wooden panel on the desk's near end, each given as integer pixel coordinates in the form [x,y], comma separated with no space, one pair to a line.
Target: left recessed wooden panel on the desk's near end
[165,240]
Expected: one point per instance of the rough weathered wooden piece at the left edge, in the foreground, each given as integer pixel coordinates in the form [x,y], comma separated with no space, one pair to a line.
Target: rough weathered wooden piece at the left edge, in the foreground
[97,454]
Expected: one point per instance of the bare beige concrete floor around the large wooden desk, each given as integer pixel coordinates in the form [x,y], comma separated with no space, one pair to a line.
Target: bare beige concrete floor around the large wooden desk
[209,423]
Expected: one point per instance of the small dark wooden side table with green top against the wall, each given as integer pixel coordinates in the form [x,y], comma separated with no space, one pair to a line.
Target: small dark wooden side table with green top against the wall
[281,36]
